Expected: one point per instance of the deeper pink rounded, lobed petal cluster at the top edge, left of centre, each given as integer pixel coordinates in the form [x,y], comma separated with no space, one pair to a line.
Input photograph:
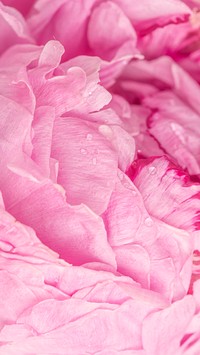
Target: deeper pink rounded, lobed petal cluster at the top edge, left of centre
[87,34]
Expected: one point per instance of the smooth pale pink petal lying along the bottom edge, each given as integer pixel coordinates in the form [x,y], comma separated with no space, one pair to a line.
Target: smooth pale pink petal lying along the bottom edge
[95,331]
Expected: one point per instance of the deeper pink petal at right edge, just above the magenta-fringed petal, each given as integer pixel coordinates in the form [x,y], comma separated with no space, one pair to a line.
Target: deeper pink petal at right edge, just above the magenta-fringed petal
[177,135]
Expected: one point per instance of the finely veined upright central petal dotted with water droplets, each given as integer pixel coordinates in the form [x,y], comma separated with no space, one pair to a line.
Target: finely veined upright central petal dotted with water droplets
[87,163]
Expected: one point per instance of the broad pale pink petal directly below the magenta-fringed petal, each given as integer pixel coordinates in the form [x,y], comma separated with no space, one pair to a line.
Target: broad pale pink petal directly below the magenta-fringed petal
[150,251]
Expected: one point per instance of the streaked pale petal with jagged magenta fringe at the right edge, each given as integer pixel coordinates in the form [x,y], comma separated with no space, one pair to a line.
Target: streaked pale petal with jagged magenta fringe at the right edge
[177,198]
